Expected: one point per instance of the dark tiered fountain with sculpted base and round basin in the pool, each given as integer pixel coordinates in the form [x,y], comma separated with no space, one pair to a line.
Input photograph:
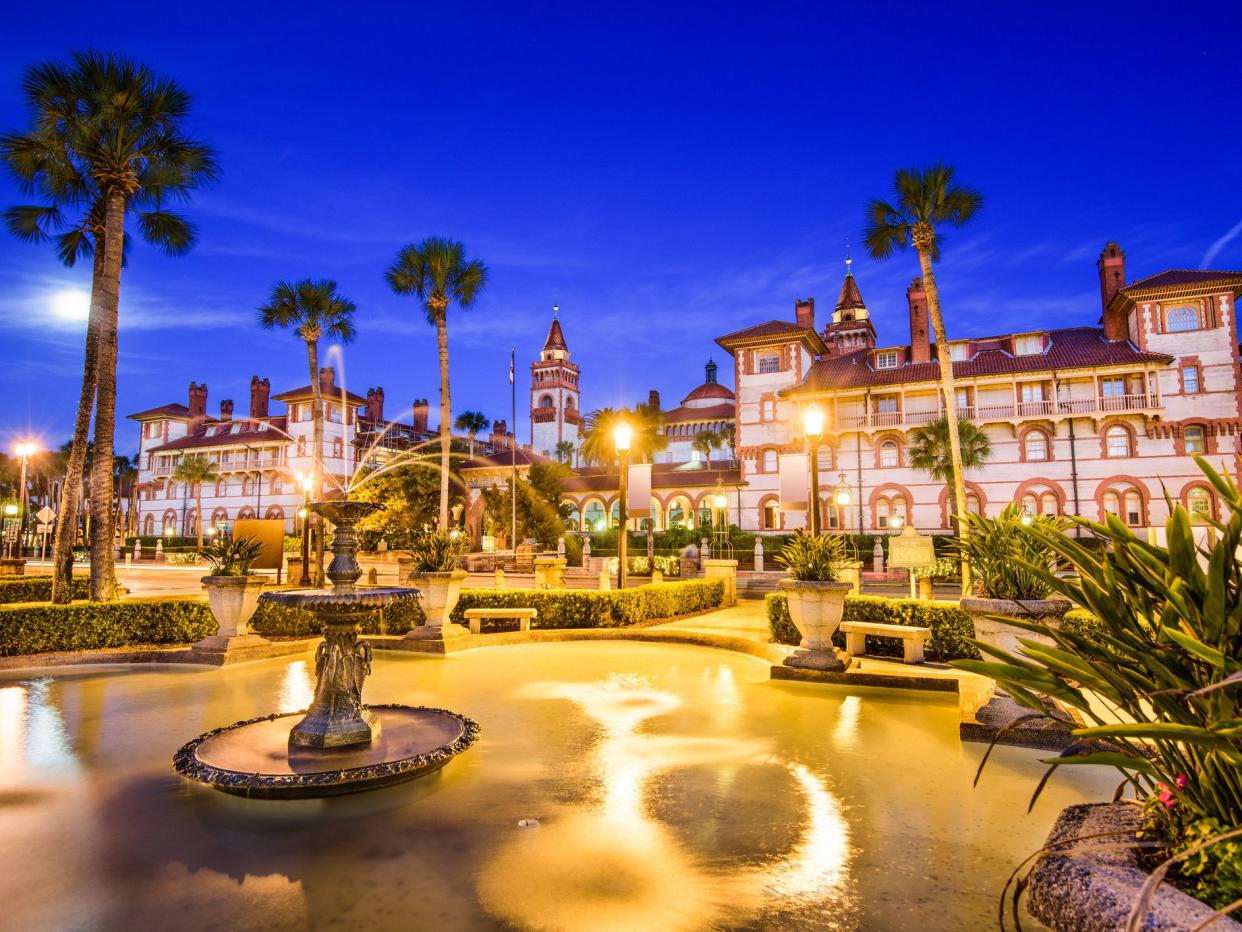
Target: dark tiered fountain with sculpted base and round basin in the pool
[338,745]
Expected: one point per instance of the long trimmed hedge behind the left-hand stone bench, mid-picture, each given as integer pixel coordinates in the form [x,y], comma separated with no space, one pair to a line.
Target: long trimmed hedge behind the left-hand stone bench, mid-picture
[591,608]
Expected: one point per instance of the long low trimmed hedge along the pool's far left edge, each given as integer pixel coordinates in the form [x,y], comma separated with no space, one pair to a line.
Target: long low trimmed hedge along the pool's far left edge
[37,629]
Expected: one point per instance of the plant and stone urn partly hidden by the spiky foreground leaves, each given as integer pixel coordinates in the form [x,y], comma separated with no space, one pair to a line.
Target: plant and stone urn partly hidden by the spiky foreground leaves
[1009,557]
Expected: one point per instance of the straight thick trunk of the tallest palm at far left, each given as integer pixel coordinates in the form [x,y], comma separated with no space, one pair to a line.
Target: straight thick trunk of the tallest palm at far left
[102,572]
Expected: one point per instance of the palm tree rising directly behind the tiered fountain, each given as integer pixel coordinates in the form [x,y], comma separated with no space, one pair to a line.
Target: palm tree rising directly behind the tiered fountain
[312,310]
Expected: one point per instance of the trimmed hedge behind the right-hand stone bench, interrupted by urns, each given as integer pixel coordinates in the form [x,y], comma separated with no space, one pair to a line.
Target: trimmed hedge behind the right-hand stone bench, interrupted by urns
[951,627]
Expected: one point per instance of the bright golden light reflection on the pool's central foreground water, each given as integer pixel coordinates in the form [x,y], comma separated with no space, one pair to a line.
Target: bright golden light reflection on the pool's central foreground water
[612,866]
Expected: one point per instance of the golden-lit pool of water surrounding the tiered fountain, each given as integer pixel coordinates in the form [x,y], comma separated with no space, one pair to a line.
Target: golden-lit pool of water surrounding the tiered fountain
[615,787]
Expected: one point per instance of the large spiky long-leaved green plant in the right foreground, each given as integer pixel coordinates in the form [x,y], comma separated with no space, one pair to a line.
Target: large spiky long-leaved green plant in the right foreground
[1164,665]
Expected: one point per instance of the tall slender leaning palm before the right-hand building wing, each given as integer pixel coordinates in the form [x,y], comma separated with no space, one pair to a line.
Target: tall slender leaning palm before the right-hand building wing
[927,201]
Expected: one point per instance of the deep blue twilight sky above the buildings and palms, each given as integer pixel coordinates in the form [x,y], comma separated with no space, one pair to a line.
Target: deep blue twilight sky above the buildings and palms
[673,172]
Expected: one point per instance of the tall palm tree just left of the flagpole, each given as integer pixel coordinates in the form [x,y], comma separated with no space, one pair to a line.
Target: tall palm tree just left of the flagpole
[438,274]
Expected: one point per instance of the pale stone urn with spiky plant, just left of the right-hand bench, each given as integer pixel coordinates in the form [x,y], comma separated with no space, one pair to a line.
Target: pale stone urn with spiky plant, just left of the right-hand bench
[817,597]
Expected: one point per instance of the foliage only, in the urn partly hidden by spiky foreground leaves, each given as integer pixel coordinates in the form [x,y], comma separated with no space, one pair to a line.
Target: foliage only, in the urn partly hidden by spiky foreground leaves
[1000,550]
